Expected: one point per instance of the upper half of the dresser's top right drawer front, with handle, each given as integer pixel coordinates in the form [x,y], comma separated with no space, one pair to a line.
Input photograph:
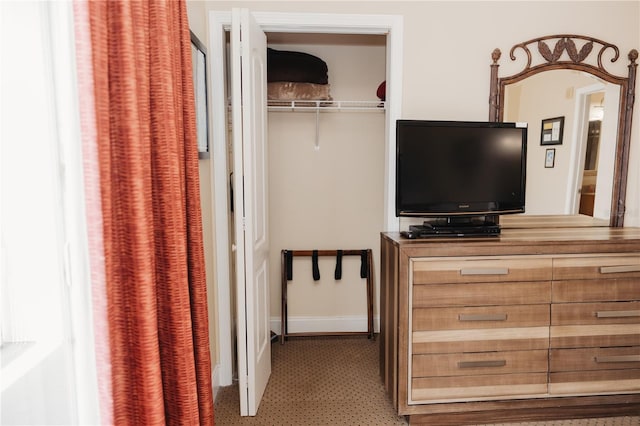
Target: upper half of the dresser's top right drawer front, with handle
[590,268]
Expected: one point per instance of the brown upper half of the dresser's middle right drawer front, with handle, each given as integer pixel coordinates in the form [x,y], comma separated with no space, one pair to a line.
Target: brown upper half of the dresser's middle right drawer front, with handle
[595,313]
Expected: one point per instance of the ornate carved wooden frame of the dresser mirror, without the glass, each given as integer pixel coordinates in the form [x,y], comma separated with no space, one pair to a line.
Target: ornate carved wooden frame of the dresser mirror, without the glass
[553,59]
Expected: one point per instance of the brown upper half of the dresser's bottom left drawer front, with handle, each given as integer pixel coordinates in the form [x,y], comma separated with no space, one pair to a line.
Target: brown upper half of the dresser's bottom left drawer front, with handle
[469,364]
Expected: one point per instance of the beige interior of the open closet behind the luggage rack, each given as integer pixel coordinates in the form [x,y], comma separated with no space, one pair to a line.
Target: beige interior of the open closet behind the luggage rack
[326,175]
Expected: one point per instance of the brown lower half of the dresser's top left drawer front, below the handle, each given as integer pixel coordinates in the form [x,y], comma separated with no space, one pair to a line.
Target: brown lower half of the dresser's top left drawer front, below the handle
[478,294]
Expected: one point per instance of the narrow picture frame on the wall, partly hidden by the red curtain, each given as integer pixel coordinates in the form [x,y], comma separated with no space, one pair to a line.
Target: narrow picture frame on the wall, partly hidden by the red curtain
[199,61]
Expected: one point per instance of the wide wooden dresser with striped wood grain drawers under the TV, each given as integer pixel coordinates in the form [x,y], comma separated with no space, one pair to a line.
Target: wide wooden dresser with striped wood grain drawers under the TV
[539,323]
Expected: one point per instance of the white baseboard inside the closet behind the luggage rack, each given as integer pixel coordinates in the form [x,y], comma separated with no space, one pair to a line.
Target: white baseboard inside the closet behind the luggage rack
[305,324]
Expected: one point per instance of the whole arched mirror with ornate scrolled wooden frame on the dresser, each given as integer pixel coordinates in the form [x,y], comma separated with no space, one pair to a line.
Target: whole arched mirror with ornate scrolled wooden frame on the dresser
[579,119]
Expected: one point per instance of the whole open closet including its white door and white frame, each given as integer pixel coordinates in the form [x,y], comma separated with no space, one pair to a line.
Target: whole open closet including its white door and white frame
[329,174]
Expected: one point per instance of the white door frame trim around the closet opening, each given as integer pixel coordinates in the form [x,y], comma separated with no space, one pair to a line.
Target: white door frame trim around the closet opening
[219,23]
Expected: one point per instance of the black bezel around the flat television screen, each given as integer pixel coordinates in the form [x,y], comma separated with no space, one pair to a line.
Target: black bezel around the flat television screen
[456,213]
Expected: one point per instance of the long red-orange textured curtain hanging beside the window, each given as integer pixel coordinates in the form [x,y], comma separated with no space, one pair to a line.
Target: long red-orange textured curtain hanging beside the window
[154,274]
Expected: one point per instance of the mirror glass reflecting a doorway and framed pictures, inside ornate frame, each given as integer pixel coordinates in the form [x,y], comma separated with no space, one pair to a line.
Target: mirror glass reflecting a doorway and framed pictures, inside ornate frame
[573,175]
